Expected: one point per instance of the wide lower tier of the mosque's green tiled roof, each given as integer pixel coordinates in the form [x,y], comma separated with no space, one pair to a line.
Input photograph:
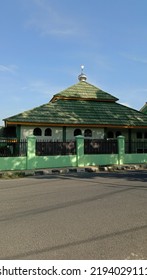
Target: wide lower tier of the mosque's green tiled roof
[82,112]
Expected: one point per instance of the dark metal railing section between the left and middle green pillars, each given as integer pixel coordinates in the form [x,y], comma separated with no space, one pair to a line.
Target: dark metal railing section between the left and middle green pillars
[48,148]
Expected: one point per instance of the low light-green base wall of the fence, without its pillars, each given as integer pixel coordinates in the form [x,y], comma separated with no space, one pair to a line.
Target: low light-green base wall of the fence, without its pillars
[39,162]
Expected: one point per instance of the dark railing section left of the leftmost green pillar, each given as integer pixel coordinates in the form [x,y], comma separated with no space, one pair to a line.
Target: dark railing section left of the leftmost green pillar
[13,148]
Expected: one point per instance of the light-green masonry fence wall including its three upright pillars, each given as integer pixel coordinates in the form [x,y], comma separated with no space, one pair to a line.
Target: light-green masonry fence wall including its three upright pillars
[79,159]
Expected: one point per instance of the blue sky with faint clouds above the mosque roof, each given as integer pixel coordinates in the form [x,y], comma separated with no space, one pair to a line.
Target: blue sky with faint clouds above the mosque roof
[43,43]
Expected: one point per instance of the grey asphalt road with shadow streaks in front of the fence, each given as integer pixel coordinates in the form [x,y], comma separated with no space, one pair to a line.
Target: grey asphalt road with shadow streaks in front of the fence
[77,216]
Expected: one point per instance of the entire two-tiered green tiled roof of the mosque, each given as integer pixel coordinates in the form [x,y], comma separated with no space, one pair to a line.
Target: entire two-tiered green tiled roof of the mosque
[100,109]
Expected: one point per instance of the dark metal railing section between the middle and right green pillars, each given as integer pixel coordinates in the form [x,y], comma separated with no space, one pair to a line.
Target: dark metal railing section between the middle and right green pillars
[100,146]
